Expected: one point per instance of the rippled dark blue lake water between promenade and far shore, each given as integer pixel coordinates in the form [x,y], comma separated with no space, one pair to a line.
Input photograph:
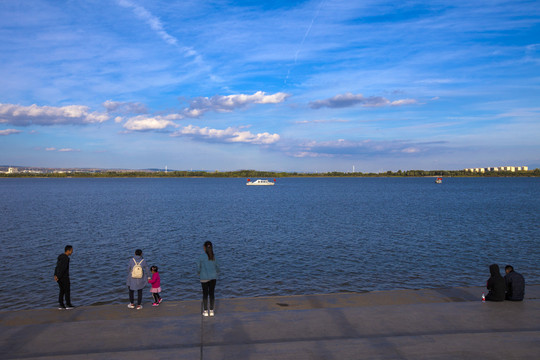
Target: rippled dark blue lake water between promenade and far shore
[301,236]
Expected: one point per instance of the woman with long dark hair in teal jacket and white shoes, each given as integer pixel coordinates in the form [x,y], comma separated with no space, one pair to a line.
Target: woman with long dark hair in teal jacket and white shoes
[208,270]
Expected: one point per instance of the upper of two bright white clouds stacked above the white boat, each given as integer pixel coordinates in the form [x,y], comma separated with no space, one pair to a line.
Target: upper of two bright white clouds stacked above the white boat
[226,103]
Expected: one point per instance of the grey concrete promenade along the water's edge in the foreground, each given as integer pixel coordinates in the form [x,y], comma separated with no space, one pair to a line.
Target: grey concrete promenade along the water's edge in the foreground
[401,324]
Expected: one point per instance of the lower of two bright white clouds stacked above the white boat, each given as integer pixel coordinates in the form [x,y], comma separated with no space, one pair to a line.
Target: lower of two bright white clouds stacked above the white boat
[229,135]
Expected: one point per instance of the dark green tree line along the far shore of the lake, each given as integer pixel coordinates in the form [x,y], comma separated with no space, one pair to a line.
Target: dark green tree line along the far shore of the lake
[262,174]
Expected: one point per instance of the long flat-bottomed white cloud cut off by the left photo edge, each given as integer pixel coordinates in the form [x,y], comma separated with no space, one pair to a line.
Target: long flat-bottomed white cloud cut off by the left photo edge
[49,115]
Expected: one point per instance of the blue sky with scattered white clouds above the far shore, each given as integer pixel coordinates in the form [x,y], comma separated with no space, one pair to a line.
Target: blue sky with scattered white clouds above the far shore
[270,85]
